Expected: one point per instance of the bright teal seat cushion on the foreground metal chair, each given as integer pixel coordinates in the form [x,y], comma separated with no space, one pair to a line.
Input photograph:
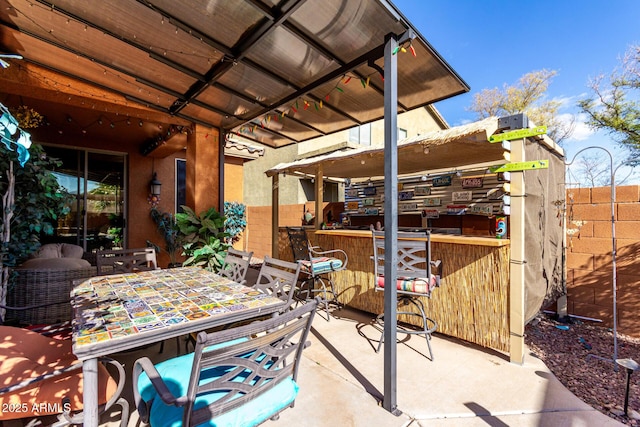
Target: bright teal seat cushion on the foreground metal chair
[175,373]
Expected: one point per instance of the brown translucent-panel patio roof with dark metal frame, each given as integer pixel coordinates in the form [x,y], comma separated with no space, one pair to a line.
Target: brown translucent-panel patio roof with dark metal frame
[275,72]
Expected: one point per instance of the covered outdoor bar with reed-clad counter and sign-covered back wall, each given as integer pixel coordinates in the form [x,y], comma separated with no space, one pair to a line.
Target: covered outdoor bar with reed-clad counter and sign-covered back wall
[459,178]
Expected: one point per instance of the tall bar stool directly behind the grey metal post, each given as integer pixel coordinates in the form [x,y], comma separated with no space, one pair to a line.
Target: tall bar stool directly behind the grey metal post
[417,276]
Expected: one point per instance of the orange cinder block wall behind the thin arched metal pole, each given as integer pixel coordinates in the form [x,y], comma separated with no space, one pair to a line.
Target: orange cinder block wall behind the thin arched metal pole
[590,255]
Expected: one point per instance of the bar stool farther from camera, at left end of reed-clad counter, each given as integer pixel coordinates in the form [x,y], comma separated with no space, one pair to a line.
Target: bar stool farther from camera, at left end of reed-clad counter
[316,265]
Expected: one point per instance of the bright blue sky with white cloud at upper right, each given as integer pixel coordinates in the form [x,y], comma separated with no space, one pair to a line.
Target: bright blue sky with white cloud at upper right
[495,42]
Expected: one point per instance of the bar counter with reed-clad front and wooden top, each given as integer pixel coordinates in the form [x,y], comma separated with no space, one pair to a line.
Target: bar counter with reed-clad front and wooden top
[472,301]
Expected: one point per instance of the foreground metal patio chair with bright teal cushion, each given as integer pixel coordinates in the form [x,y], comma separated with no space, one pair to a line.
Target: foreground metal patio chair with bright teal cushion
[238,377]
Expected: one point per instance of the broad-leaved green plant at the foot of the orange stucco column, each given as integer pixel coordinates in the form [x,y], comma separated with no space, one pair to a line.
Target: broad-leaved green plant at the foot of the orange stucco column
[203,237]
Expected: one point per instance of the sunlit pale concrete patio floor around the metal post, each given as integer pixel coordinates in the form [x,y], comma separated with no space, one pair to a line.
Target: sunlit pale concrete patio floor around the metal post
[341,383]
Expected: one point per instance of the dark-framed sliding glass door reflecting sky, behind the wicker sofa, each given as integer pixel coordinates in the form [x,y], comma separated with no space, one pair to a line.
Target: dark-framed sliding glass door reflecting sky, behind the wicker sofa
[96,179]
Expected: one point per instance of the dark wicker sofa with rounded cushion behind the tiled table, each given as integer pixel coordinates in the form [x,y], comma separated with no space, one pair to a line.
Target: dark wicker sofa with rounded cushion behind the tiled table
[41,286]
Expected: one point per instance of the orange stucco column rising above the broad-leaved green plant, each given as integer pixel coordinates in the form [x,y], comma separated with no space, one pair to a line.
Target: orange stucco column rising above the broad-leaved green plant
[203,168]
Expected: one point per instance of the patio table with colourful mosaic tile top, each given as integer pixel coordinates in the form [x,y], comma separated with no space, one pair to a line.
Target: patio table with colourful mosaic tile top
[125,311]
